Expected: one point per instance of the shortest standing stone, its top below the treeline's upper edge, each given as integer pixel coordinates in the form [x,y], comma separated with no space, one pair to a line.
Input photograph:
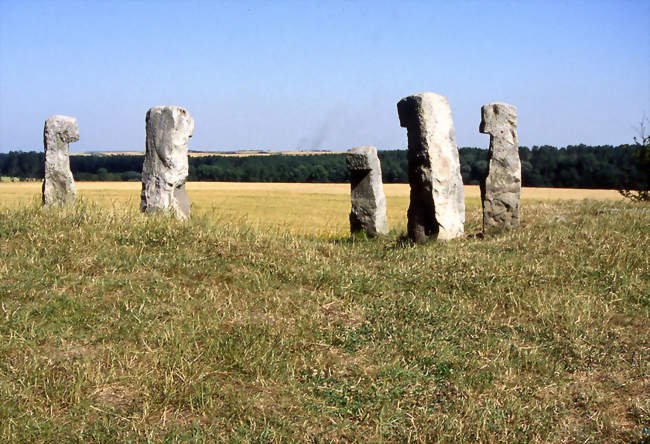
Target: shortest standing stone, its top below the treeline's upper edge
[366,192]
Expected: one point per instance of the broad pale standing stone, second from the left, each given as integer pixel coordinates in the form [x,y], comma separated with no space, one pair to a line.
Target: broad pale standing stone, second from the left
[165,167]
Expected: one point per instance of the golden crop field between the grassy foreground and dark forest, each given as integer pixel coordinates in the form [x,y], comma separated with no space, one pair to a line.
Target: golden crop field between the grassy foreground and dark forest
[301,208]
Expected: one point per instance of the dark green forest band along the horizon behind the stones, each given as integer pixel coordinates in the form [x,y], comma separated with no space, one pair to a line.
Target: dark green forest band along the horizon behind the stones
[577,166]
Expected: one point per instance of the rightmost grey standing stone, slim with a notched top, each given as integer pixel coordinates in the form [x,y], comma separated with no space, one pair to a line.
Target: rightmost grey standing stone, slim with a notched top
[501,189]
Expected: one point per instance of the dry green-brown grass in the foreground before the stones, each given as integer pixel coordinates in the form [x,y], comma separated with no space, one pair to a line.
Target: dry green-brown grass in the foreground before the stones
[116,327]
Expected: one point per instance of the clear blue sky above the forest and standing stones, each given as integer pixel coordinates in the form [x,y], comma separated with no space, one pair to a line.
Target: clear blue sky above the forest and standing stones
[321,74]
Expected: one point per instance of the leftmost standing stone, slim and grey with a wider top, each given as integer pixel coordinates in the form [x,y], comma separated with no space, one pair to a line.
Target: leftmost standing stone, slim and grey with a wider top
[58,184]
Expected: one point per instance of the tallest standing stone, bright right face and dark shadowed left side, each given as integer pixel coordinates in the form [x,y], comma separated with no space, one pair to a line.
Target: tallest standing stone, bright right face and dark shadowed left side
[437,208]
